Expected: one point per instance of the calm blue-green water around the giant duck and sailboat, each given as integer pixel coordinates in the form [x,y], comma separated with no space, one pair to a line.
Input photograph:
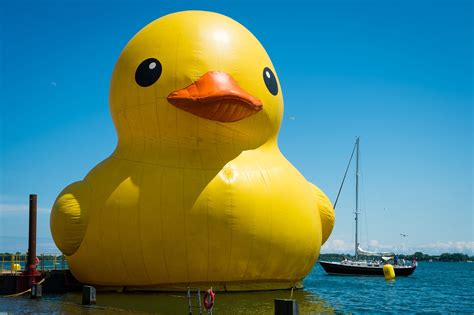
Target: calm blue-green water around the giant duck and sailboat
[433,288]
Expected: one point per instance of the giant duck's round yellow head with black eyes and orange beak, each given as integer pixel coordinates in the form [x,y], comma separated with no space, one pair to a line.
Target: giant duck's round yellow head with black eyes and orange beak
[196,78]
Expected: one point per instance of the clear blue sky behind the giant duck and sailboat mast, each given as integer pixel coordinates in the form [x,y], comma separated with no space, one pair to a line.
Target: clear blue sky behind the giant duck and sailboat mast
[396,73]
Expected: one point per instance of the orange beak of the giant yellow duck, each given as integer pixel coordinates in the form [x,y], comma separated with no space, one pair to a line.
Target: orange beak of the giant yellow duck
[216,96]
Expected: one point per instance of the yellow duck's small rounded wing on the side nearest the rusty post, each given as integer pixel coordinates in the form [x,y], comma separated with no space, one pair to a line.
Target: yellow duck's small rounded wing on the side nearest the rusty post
[68,219]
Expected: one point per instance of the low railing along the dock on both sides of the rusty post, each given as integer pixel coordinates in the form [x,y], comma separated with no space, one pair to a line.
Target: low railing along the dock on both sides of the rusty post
[11,263]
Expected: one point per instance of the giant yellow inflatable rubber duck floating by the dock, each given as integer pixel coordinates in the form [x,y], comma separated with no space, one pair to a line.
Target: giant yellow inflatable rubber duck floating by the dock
[197,192]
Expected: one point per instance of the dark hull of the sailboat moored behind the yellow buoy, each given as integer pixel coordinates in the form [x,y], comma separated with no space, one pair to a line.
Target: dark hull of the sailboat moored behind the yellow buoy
[355,268]
